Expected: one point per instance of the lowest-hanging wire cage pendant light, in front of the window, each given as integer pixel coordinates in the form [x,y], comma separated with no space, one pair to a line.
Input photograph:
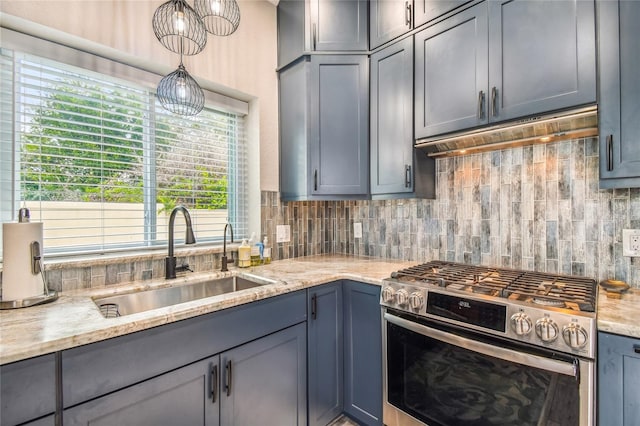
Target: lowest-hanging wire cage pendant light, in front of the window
[179,93]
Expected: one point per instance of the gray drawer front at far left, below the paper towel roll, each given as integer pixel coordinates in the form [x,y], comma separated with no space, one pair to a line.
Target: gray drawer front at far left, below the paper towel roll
[28,391]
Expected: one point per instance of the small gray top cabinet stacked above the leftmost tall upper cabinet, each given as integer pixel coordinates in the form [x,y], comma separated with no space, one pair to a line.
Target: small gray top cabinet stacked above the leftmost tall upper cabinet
[306,26]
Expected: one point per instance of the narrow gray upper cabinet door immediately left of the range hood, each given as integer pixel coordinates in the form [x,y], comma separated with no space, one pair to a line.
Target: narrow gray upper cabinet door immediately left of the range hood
[392,119]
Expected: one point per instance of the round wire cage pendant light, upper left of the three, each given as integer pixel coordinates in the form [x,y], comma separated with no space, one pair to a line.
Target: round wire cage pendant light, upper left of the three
[179,28]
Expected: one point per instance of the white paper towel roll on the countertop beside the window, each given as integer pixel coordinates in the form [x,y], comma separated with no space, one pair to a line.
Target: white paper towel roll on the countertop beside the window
[18,283]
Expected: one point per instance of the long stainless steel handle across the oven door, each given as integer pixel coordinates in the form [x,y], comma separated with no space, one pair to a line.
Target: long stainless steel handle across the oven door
[543,363]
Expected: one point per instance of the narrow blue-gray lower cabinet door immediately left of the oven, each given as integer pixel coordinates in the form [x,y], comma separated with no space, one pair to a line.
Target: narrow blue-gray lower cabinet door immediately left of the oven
[363,352]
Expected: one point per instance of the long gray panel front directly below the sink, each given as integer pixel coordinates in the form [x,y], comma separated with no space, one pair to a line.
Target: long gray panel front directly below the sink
[93,370]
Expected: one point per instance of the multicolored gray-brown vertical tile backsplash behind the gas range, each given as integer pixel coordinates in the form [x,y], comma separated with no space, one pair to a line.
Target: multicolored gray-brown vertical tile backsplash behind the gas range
[535,208]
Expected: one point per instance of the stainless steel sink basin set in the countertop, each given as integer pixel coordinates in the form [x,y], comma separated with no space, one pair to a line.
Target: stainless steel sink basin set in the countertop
[131,303]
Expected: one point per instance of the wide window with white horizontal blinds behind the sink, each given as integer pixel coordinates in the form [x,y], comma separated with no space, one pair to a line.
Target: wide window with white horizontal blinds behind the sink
[102,164]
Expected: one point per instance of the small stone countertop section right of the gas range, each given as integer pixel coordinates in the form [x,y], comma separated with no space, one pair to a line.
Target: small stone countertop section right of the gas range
[620,316]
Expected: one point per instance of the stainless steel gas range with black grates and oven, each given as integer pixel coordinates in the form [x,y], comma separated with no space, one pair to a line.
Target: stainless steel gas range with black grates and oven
[472,345]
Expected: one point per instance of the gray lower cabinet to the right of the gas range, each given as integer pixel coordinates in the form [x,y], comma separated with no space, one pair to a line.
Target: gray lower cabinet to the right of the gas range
[618,380]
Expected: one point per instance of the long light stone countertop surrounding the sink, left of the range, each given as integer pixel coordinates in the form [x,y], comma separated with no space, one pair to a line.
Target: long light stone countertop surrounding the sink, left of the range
[74,319]
